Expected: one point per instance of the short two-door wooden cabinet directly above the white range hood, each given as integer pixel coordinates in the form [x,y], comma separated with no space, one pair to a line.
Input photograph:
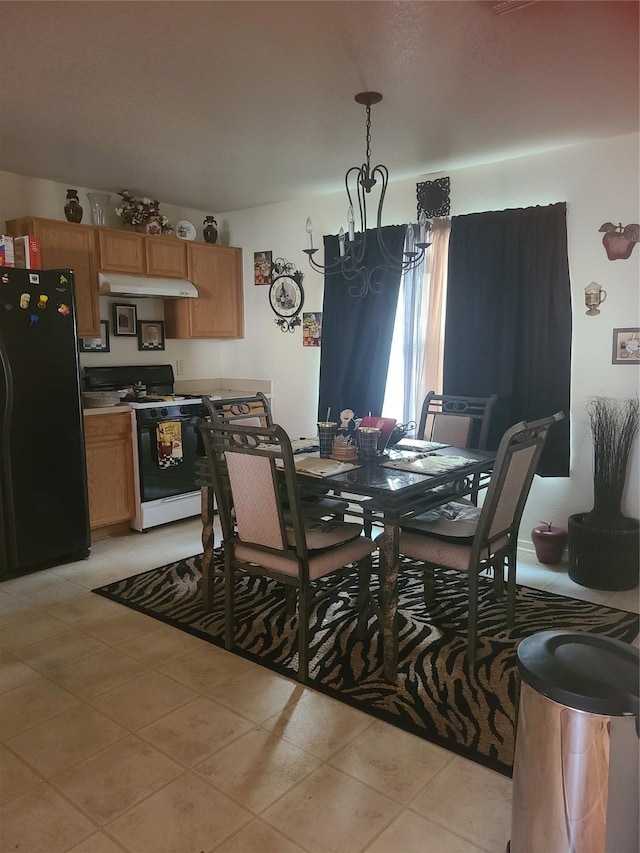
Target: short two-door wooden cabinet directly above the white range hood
[137,254]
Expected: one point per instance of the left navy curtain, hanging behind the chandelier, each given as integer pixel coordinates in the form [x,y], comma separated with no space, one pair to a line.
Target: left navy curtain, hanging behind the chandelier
[357,332]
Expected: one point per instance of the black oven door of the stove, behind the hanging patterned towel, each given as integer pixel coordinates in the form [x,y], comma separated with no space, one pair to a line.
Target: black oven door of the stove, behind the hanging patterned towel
[157,482]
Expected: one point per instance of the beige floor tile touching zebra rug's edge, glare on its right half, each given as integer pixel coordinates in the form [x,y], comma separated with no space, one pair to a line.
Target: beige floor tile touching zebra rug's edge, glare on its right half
[258,694]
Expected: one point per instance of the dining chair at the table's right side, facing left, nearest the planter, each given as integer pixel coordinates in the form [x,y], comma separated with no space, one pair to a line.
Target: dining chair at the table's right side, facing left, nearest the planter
[487,537]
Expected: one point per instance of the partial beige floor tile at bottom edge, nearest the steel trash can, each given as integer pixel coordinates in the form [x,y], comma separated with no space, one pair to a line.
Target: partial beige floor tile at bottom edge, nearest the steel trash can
[410,833]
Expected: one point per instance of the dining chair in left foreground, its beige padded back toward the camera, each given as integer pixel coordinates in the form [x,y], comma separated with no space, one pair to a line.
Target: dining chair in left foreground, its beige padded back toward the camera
[263,527]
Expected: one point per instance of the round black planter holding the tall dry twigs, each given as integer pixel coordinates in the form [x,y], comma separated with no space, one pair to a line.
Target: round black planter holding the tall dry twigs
[603,559]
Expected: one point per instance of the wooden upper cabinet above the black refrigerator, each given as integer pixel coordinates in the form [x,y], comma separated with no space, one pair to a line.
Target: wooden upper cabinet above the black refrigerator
[66,245]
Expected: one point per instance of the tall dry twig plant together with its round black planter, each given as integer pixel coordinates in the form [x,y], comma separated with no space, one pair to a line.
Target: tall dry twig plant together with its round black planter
[604,543]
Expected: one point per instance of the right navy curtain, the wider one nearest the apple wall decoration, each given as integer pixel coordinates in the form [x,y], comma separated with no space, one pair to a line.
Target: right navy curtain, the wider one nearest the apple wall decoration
[508,321]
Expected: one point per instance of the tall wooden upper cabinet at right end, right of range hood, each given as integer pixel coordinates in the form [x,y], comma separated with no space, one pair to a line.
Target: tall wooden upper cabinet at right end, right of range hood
[218,312]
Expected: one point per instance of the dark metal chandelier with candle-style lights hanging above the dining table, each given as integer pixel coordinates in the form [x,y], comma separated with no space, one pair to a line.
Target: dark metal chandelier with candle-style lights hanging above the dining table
[352,245]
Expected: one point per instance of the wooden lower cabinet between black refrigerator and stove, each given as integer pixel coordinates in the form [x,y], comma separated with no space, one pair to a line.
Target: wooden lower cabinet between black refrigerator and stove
[110,469]
